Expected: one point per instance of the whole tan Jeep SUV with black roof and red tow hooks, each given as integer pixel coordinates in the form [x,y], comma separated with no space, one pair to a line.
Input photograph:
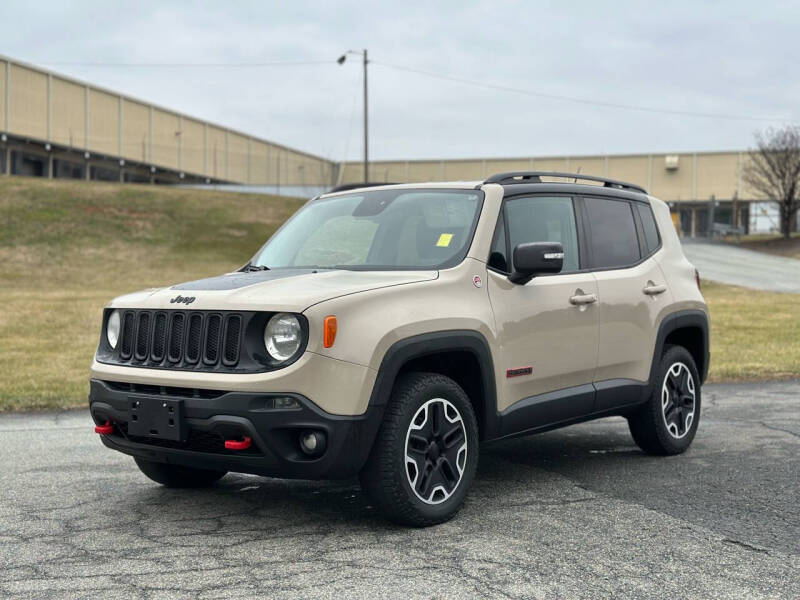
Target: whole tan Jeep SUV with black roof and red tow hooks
[388,332]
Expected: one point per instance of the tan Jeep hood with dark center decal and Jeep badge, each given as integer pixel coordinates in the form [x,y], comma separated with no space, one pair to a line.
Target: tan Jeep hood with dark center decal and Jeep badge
[290,290]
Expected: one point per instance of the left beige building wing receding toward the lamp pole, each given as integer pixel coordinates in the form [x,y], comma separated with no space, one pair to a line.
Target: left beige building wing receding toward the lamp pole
[54,126]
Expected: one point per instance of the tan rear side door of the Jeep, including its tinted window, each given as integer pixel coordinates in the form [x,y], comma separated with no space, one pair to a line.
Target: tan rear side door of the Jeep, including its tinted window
[632,292]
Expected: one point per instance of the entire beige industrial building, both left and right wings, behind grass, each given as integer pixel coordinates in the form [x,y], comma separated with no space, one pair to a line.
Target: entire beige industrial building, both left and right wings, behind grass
[54,126]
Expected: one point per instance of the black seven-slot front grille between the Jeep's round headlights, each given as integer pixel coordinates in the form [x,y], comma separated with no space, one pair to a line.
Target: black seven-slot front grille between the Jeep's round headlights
[180,339]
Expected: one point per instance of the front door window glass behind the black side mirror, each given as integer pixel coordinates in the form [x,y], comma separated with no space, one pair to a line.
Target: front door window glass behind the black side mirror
[544,219]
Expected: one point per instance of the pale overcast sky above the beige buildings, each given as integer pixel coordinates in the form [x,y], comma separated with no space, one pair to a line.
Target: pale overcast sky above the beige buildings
[726,58]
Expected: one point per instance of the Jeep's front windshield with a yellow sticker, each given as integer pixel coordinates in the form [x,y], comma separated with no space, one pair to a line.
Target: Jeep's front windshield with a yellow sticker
[379,229]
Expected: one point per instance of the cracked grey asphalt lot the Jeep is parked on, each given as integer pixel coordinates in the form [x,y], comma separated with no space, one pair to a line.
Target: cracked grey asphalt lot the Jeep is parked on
[577,513]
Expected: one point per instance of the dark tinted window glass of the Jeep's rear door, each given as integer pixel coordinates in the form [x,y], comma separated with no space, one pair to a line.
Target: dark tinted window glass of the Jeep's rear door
[612,233]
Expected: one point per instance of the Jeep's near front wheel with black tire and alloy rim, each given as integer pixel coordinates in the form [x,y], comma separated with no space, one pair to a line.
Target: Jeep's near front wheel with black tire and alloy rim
[426,453]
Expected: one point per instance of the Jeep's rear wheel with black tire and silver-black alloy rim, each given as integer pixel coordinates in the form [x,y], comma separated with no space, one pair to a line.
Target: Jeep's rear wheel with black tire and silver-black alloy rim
[666,424]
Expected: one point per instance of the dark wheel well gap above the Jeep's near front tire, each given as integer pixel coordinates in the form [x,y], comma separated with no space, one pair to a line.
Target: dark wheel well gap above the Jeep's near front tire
[462,367]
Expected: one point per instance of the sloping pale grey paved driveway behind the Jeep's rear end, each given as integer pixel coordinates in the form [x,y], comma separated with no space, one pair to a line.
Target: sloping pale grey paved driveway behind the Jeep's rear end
[731,264]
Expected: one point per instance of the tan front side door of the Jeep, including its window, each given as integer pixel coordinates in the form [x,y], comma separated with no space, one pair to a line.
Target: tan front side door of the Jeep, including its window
[547,329]
